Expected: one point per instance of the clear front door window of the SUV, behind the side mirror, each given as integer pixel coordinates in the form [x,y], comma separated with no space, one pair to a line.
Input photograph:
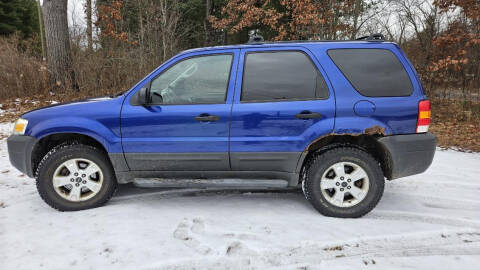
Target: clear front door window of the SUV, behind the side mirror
[196,80]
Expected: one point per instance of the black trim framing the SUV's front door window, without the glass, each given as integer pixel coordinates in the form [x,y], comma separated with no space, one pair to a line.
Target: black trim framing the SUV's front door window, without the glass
[188,58]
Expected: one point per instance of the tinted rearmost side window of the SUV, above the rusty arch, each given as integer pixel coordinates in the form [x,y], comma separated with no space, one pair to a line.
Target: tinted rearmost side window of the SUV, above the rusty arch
[373,72]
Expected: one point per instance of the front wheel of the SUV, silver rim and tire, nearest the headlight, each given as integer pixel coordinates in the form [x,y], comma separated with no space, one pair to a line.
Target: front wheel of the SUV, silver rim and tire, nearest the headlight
[75,177]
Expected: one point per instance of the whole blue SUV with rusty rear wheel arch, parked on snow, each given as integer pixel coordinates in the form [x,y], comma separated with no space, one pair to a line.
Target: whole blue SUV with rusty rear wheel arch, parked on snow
[336,118]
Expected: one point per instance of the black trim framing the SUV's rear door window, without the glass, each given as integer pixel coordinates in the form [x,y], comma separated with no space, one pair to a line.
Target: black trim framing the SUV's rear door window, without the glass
[281,100]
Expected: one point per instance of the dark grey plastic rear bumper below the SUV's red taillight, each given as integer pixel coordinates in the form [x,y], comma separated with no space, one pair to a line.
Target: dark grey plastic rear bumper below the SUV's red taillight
[408,154]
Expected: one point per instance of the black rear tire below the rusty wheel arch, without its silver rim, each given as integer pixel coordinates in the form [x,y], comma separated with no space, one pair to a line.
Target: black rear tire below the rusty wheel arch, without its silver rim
[318,164]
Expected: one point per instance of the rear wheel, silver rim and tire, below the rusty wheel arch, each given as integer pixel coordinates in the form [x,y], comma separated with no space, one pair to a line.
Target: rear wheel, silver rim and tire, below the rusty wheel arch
[343,182]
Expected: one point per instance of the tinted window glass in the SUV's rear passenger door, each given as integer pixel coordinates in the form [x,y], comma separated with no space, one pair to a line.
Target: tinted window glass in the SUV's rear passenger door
[277,76]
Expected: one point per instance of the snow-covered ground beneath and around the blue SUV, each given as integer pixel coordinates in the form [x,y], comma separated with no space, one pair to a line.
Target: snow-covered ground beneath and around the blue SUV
[428,221]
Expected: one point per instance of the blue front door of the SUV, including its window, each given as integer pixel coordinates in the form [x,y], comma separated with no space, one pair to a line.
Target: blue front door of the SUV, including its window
[185,125]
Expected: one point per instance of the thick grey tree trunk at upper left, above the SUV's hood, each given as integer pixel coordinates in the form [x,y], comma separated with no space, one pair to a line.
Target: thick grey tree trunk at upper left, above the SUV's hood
[58,44]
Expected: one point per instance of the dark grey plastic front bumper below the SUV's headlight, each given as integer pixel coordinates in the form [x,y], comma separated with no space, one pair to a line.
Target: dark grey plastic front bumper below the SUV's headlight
[20,152]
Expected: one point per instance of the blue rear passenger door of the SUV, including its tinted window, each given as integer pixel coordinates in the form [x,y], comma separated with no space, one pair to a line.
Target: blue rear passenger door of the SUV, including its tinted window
[283,101]
